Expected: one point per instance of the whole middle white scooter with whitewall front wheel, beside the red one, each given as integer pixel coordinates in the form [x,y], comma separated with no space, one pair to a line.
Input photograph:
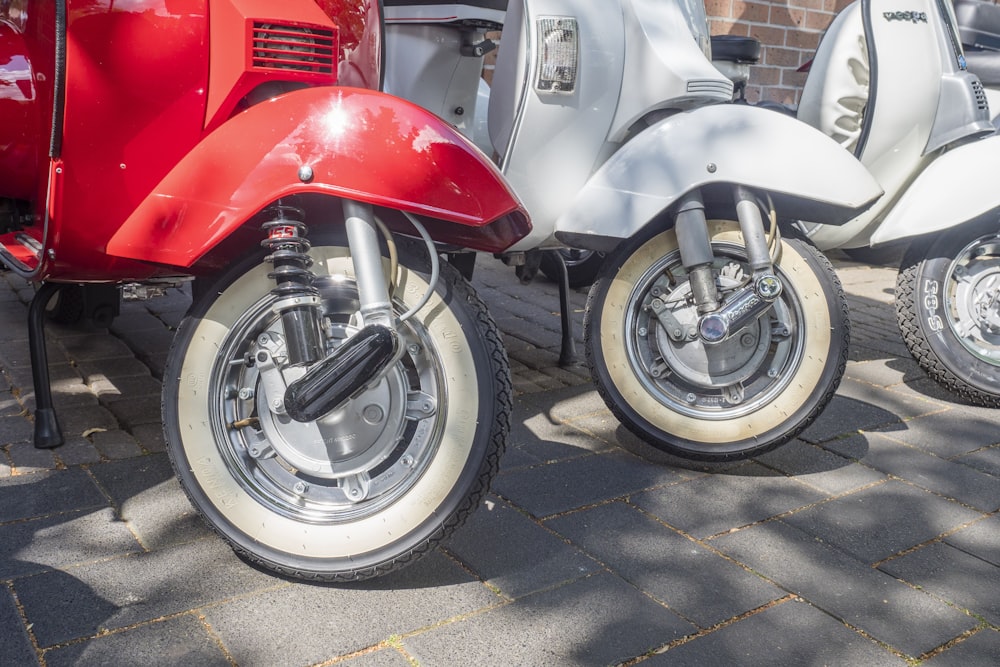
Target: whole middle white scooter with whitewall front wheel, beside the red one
[708,334]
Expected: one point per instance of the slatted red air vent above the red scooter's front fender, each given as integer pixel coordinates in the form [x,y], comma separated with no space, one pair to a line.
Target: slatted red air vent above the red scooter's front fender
[295,47]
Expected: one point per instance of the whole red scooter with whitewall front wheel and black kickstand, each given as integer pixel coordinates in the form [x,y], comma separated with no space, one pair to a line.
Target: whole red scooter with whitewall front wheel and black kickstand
[336,400]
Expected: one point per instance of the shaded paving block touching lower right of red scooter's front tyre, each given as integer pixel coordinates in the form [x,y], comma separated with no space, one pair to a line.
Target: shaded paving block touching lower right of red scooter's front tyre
[514,554]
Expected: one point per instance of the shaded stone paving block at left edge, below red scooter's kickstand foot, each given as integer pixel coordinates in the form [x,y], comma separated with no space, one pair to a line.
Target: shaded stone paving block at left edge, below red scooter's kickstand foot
[44,493]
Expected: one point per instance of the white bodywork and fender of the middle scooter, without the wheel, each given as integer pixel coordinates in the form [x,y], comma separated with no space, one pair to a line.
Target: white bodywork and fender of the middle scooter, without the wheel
[640,61]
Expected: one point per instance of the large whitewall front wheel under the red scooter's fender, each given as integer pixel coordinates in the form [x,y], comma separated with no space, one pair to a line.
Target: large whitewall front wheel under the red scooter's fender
[368,487]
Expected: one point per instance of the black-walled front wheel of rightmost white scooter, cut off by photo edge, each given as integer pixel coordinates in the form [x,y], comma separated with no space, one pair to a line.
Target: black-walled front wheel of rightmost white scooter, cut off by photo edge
[948,310]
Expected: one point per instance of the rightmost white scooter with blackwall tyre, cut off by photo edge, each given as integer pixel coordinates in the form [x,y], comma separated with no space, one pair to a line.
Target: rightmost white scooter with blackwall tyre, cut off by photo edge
[889,83]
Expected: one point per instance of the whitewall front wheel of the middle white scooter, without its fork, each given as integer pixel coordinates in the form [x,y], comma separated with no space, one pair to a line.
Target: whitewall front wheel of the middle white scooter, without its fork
[744,396]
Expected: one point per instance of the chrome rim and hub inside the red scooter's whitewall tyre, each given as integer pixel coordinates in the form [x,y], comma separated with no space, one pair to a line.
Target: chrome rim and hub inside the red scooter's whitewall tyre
[351,463]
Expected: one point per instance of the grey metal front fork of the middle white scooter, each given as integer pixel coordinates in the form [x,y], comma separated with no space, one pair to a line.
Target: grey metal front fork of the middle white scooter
[718,321]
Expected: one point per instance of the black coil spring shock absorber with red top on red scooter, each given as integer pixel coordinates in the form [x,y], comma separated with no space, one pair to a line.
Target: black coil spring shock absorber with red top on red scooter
[297,300]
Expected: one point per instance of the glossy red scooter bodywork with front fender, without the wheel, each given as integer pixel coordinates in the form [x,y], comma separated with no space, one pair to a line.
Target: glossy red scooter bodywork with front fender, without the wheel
[176,121]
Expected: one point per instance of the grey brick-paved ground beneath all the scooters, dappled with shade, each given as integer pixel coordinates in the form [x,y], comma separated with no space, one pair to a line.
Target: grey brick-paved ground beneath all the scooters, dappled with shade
[873,539]
